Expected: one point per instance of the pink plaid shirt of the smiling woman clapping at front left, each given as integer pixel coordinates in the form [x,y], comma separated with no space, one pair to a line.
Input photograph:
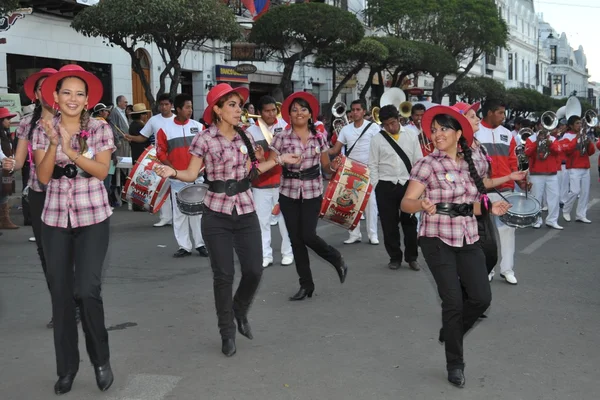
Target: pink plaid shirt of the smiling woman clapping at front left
[79,201]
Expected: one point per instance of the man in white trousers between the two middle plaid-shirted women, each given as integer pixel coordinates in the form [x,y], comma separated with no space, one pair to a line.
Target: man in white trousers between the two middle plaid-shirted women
[265,188]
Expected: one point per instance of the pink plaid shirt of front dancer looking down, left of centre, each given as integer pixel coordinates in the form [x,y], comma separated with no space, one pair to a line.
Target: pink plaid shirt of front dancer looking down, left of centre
[224,160]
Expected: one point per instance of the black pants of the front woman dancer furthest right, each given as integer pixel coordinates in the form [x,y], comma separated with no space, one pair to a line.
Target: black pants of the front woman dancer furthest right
[452,267]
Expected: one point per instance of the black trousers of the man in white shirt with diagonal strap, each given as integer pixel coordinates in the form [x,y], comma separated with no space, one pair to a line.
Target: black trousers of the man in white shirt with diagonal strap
[389,196]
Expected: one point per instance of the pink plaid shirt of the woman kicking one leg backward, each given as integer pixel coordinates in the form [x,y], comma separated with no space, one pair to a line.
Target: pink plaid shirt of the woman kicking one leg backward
[288,142]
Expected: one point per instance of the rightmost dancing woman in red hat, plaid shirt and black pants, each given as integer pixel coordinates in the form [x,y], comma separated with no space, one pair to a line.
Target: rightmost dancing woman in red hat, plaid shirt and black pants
[448,188]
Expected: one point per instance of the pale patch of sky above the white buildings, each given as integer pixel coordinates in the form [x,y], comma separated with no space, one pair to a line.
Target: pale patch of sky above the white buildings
[579,19]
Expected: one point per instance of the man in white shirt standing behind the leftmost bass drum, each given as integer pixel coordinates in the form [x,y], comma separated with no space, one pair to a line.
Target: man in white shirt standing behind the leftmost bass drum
[148,133]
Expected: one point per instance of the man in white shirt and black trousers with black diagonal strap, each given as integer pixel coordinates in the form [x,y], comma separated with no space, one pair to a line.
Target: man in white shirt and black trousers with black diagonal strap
[389,176]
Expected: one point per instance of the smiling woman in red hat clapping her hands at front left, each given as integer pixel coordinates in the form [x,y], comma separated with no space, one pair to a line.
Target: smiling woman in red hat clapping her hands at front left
[72,154]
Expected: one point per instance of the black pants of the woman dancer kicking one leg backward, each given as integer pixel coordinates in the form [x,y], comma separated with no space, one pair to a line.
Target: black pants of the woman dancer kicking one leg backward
[301,217]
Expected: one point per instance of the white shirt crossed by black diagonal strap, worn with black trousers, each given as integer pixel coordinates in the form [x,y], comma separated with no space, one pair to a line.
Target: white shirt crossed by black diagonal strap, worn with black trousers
[386,165]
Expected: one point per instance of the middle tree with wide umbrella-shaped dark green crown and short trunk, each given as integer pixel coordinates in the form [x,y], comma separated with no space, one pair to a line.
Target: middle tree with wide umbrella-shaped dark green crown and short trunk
[297,31]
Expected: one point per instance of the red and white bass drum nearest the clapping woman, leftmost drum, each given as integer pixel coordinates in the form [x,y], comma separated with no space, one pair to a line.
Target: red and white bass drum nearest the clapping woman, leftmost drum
[143,186]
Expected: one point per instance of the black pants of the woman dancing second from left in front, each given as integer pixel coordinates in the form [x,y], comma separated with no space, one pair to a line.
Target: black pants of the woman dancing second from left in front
[222,235]
